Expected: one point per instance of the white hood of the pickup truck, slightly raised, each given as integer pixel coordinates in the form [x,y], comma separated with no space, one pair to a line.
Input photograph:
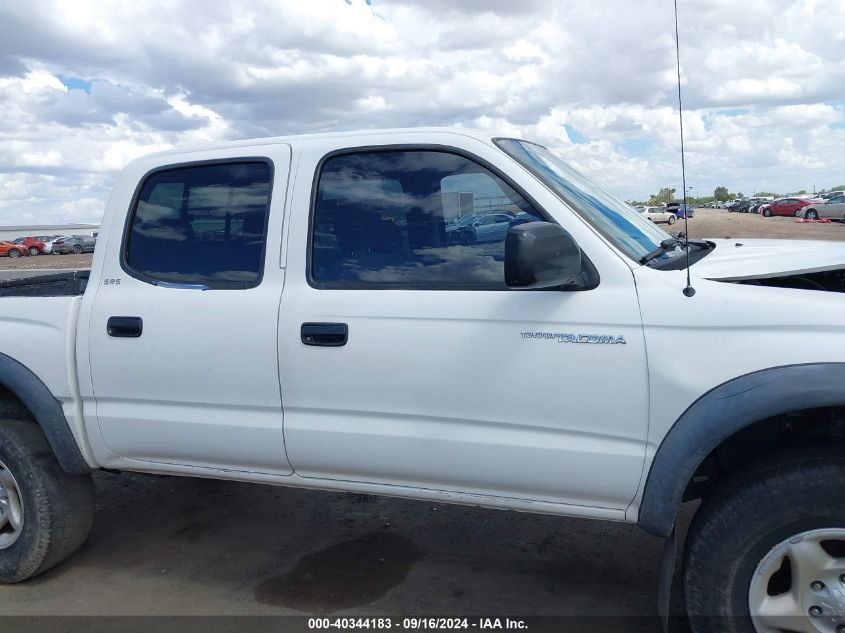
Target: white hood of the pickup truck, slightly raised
[760,259]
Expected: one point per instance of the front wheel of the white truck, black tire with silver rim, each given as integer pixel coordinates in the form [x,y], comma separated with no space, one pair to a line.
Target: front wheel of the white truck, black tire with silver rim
[766,551]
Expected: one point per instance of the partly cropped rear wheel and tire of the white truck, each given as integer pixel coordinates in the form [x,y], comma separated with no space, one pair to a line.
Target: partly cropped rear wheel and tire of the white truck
[55,509]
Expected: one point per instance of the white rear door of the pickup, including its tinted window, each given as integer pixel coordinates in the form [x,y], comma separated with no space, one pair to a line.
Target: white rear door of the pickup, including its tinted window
[183,326]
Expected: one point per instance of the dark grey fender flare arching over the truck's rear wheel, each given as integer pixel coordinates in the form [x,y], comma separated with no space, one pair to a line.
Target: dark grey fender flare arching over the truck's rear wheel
[47,412]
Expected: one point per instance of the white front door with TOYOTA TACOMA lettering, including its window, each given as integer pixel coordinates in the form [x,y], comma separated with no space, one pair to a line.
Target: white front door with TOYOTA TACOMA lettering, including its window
[405,361]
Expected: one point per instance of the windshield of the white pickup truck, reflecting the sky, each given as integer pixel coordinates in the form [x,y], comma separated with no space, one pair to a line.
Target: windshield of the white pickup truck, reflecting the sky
[628,230]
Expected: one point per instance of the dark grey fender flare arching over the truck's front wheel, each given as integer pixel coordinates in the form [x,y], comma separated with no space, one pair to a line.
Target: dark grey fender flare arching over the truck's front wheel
[720,413]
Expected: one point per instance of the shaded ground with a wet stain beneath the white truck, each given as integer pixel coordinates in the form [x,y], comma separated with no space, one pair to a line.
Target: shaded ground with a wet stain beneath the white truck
[180,546]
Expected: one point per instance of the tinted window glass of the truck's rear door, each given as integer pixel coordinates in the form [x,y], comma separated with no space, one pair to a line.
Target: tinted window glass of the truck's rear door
[202,225]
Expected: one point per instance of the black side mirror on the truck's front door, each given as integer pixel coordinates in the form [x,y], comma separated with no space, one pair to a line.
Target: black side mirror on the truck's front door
[541,255]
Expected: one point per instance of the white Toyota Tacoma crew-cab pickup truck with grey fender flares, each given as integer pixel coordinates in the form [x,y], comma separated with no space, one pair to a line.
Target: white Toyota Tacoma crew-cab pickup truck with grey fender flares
[294,311]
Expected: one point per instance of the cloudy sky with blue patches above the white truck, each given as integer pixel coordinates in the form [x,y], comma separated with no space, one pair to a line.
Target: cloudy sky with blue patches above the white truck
[87,86]
